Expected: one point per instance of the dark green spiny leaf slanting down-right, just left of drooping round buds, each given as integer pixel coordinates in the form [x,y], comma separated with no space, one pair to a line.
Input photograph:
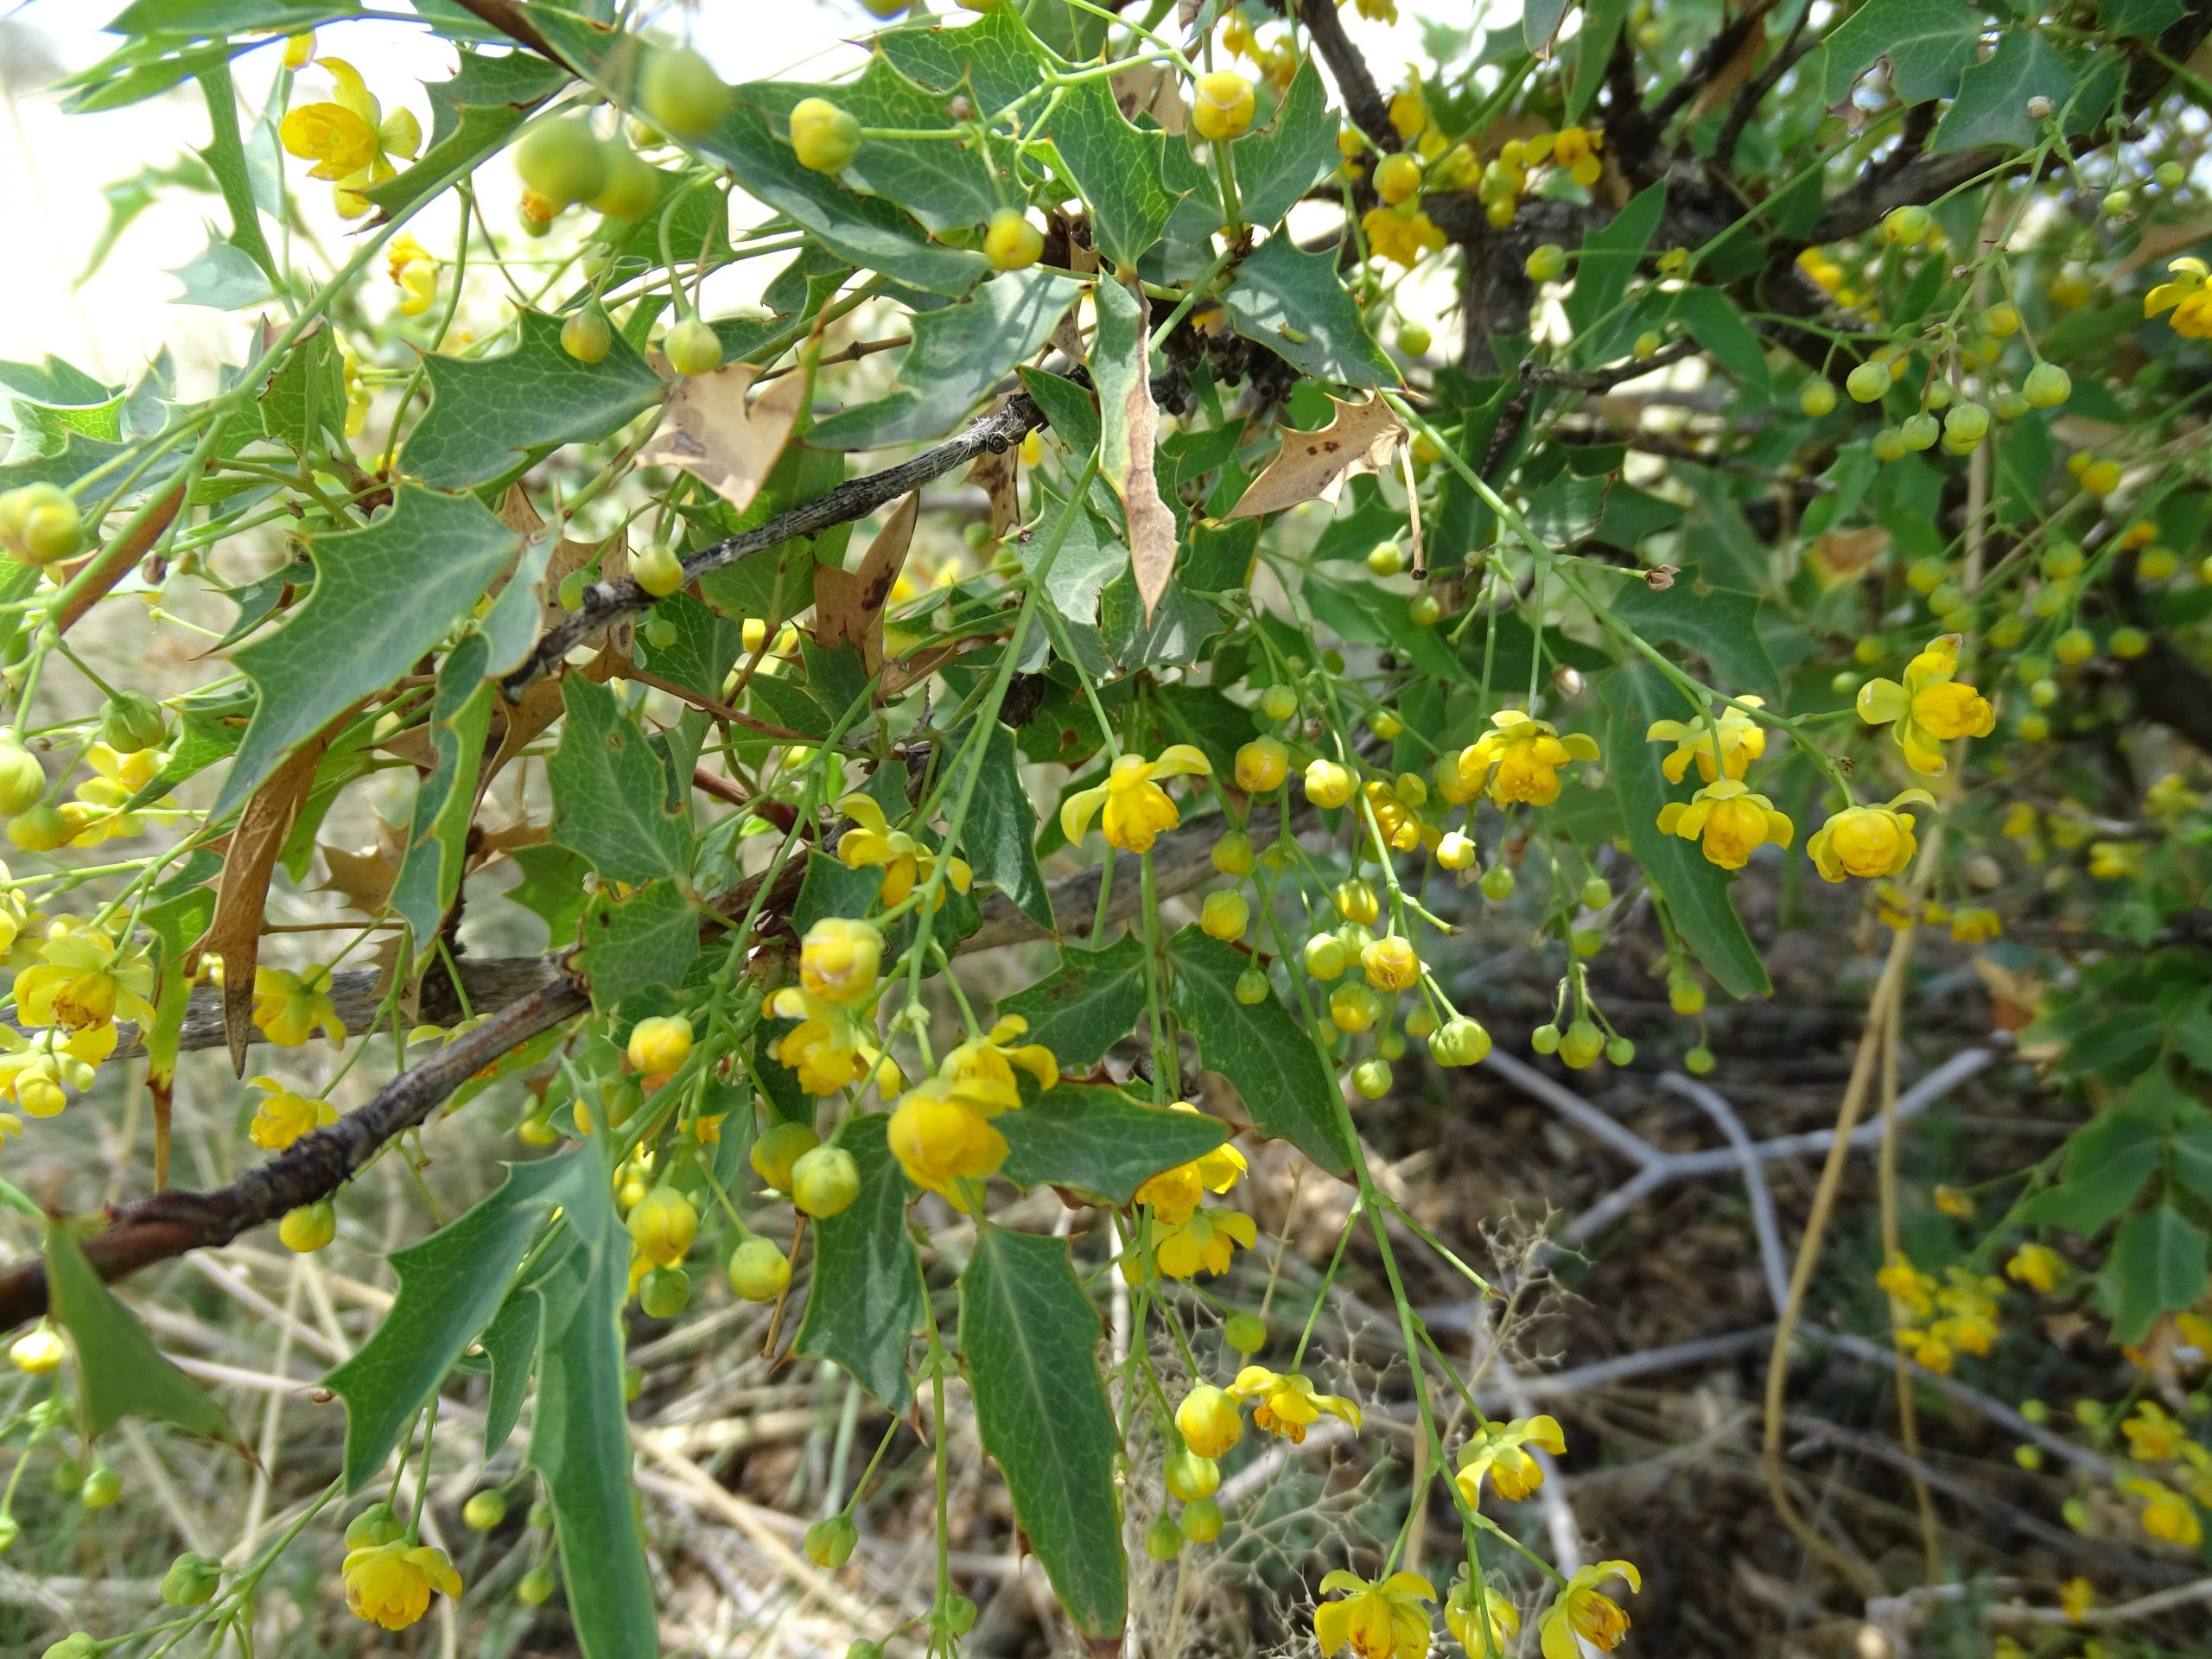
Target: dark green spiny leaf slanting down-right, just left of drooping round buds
[1260,1050]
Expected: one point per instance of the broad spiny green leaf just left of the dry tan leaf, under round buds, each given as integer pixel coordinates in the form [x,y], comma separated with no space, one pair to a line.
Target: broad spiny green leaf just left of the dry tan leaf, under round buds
[490,413]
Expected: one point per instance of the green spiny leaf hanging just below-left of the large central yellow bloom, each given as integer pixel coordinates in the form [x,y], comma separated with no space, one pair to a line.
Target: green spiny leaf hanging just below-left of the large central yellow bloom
[866,1302]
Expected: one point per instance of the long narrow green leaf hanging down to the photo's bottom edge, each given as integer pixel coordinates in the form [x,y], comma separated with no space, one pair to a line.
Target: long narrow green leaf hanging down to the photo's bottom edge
[581,1432]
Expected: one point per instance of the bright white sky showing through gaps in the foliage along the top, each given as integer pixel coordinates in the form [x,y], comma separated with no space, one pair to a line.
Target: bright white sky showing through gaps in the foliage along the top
[54,167]
